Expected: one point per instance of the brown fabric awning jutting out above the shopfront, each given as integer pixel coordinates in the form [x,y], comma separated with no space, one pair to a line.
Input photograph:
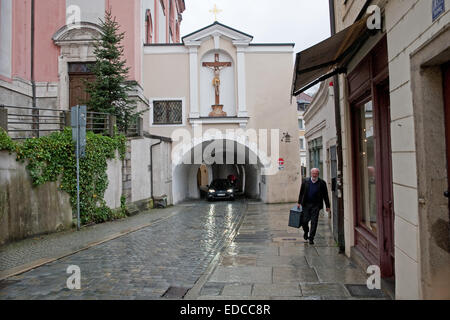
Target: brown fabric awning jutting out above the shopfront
[328,57]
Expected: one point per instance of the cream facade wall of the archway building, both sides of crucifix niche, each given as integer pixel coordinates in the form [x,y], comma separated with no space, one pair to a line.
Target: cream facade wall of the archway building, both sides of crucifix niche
[268,80]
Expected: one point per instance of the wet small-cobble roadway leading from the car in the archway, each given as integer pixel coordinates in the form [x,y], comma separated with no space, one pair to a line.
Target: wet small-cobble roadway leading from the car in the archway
[141,265]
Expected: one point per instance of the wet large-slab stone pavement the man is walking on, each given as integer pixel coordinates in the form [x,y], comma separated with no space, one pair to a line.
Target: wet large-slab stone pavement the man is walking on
[287,267]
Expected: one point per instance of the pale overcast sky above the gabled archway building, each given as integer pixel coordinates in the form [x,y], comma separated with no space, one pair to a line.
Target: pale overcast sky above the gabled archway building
[303,22]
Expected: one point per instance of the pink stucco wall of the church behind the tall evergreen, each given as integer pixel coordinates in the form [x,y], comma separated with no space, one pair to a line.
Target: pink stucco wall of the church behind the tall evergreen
[50,16]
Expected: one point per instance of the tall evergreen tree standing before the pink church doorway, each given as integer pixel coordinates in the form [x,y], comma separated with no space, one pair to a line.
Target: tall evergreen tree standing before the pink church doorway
[109,92]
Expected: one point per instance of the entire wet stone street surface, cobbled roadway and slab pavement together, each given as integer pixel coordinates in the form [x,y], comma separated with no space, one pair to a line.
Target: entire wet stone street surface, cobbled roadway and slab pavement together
[221,250]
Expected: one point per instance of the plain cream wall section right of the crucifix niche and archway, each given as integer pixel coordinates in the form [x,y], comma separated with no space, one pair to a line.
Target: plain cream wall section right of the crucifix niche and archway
[269,106]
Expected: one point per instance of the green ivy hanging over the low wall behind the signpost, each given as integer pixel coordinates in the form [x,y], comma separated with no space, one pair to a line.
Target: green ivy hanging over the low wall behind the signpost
[52,158]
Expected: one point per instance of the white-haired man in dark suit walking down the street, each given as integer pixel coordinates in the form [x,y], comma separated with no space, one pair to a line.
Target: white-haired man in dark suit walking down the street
[313,193]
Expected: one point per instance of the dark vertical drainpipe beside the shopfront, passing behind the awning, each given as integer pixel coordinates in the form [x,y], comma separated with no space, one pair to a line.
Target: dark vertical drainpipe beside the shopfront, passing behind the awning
[337,111]
